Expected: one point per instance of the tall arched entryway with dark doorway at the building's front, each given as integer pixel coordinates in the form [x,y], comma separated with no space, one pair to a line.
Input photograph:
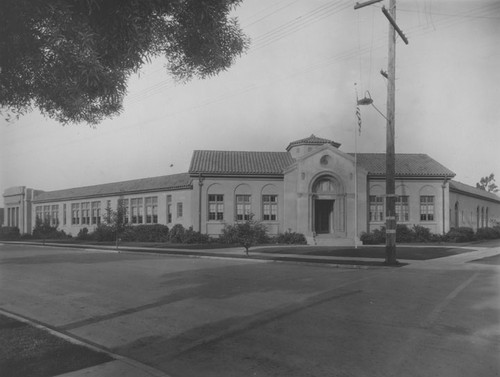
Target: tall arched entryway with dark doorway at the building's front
[327,205]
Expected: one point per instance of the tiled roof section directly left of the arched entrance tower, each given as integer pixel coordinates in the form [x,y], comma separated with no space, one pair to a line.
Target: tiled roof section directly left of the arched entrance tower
[239,163]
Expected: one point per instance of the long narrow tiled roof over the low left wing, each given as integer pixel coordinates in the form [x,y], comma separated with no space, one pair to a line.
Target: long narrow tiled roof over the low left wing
[168,182]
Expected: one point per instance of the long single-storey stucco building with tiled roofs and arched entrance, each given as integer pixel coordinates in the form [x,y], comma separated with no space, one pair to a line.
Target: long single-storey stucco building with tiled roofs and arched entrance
[311,187]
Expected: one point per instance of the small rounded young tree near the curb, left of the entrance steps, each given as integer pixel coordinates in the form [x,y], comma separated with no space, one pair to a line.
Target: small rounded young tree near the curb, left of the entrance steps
[247,233]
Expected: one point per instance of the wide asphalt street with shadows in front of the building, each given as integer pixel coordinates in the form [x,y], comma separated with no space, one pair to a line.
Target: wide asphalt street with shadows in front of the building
[221,317]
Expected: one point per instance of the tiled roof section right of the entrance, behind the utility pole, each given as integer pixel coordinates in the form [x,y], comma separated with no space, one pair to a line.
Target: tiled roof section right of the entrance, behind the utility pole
[414,165]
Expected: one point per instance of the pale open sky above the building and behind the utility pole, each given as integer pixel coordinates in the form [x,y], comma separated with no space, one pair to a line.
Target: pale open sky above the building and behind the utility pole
[297,79]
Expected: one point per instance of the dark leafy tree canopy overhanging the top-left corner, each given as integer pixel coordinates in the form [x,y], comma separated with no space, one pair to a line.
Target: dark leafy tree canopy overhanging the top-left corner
[72,58]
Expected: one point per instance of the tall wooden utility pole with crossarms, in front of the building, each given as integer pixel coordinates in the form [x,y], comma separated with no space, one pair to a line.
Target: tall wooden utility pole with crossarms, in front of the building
[390,182]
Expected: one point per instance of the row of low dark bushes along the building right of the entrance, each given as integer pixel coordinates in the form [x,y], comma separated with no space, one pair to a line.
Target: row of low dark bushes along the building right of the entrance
[422,234]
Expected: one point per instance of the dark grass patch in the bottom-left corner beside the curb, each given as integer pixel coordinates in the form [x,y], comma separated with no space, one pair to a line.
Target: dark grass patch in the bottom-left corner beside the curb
[29,351]
